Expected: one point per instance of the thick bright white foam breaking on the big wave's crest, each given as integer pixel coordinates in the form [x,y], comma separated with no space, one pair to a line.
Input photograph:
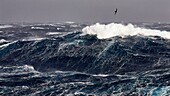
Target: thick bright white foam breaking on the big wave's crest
[113,29]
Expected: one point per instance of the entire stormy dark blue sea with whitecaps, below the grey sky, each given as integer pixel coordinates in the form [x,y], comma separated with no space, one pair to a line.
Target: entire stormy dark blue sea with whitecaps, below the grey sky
[73,59]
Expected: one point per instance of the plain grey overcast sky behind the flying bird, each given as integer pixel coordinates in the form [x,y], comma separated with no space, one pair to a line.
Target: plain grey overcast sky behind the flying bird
[84,10]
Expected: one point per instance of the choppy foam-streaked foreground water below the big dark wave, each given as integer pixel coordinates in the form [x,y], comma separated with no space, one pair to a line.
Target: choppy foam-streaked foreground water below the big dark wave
[75,83]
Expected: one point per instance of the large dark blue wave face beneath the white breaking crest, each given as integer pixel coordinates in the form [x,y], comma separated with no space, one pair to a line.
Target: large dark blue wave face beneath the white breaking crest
[88,54]
